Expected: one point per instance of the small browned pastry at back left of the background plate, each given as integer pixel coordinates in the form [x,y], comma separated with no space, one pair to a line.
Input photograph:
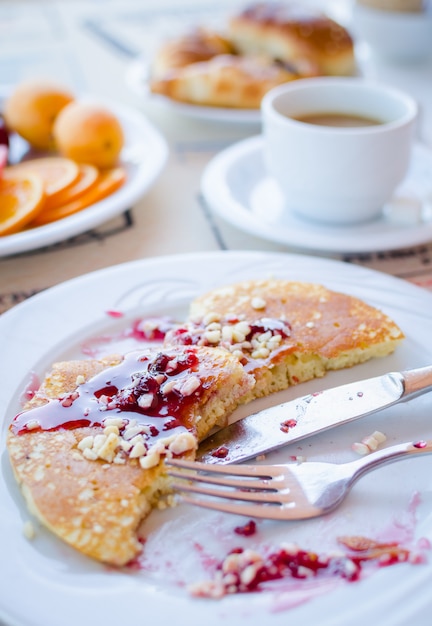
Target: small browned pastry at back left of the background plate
[201,44]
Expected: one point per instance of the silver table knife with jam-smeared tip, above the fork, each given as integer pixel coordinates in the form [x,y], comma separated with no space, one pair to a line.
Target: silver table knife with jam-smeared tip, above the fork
[291,421]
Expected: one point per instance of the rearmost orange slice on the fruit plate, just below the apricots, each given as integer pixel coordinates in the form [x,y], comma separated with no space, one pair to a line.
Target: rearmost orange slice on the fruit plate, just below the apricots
[57,173]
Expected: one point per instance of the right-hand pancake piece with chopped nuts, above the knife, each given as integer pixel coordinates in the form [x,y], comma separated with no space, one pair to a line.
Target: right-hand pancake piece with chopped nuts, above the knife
[286,332]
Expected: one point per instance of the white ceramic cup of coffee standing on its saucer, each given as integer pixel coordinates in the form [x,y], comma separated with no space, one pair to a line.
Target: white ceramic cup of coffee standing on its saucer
[338,175]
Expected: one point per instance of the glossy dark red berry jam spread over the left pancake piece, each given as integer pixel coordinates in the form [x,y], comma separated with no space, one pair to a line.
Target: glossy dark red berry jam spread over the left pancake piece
[155,388]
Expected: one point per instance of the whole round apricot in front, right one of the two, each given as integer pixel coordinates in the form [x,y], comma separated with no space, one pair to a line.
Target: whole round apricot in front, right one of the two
[89,133]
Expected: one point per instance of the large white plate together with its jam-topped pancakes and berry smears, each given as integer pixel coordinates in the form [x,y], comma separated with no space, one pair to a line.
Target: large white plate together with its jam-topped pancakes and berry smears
[96,398]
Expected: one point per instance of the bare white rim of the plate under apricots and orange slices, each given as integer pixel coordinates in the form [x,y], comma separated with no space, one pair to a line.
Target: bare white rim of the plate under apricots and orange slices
[144,156]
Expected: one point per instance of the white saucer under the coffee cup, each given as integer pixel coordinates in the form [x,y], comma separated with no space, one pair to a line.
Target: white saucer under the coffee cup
[237,187]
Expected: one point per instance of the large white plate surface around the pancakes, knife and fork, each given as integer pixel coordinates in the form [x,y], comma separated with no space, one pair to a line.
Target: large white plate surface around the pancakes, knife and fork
[45,583]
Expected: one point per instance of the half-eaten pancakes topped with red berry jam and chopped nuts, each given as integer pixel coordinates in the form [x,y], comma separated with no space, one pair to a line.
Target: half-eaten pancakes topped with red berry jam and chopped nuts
[88,450]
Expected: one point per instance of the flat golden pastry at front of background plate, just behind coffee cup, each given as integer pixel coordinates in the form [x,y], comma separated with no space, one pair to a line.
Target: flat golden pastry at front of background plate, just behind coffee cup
[226,80]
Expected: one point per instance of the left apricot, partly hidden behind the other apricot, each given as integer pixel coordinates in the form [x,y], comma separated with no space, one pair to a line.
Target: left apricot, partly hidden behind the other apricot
[32,108]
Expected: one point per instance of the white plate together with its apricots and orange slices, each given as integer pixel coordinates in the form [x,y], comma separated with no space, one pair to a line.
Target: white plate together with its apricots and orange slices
[73,163]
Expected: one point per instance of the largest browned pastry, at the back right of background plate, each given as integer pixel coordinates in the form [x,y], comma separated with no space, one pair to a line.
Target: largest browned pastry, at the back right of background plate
[292,32]
